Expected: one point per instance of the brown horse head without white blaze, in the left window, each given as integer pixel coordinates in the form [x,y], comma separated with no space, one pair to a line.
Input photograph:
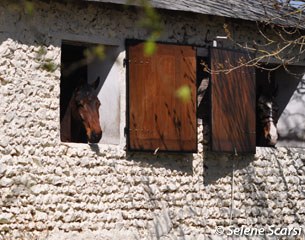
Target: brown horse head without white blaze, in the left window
[87,110]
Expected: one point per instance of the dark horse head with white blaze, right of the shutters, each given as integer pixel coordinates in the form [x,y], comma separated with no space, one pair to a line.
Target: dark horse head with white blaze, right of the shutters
[267,117]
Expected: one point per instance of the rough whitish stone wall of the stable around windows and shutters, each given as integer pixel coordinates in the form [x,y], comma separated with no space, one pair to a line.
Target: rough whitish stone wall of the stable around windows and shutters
[52,190]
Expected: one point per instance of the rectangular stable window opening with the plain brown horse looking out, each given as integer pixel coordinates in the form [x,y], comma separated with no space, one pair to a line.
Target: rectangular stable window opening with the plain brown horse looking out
[89,93]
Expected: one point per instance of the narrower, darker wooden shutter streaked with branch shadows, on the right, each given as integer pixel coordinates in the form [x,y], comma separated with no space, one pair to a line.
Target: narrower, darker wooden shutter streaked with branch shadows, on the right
[233,103]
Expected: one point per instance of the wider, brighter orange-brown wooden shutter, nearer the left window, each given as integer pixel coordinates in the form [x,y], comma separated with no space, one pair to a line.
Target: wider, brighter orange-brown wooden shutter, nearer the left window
[157,118]
